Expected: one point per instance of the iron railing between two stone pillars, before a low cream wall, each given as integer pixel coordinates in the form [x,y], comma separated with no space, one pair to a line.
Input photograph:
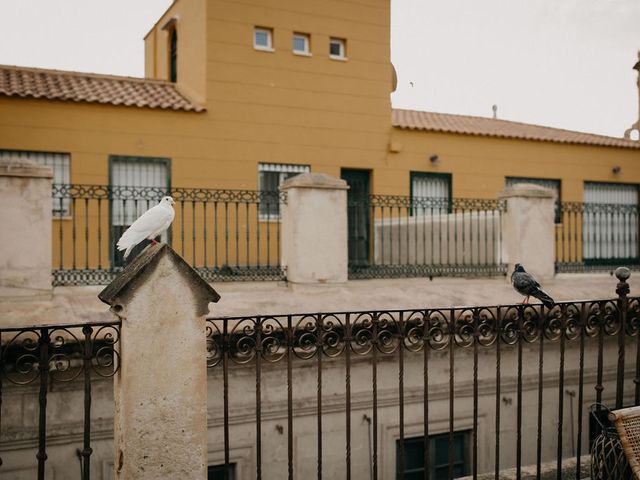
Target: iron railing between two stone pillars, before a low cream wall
[403,236]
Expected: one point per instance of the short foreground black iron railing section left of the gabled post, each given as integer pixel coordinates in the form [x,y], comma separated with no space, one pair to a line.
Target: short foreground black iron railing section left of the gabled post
[50,355]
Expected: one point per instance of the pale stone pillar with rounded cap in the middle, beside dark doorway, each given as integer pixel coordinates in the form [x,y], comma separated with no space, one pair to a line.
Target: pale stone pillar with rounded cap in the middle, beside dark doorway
[314,229]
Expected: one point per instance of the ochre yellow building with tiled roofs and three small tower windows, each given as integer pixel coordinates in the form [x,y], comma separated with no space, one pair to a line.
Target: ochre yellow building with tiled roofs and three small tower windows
[238,96]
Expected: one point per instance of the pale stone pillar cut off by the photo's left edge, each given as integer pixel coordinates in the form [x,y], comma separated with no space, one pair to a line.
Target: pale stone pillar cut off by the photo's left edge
[25,229]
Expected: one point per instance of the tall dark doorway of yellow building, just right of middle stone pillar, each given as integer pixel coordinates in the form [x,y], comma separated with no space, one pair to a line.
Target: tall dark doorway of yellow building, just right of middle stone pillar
[358,215]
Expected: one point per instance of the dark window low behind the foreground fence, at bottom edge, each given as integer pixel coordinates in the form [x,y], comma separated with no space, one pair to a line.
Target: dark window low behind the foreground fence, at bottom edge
[413,467]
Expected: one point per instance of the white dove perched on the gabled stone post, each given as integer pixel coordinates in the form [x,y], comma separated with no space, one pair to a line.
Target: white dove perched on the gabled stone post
[149,225]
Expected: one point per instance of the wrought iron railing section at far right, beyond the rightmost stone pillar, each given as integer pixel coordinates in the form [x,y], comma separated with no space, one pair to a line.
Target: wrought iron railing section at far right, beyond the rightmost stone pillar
[597,236]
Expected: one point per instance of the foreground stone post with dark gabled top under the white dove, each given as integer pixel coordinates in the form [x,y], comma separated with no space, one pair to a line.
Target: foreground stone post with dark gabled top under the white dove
[160,391]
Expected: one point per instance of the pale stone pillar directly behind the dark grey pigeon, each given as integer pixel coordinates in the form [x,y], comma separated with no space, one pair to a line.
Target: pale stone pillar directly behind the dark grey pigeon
[528,229]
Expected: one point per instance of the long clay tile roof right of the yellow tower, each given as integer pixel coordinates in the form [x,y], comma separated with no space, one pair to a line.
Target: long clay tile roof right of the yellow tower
[468,125]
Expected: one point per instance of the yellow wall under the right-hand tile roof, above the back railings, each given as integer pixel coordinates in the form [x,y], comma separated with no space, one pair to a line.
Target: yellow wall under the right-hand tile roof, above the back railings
[480,164]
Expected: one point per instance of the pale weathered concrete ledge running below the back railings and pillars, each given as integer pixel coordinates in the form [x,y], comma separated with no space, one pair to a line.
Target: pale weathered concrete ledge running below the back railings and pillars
[80,304]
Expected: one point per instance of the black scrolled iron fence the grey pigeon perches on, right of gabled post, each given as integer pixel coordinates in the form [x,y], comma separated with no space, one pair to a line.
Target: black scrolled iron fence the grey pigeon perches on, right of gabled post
[490,346]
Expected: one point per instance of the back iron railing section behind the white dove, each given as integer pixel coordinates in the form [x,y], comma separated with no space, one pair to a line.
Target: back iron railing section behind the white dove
[224,234]
